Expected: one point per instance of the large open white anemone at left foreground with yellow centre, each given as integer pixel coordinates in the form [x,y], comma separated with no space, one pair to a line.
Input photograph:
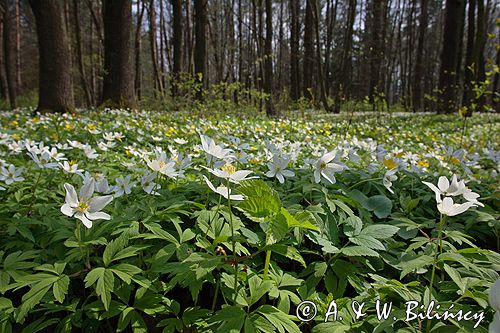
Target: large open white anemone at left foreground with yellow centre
[85,208]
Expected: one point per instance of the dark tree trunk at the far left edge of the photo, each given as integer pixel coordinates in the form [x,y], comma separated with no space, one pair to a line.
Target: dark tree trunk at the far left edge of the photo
[9,51]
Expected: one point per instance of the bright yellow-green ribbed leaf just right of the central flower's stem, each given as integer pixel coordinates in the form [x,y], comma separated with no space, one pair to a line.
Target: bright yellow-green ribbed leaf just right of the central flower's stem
[261,201]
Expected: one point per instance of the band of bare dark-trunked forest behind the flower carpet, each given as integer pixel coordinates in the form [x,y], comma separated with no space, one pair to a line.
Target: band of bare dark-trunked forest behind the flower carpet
[421,55]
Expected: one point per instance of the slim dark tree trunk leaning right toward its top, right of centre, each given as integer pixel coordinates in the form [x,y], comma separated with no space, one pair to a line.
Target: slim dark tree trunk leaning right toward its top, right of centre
[345,62]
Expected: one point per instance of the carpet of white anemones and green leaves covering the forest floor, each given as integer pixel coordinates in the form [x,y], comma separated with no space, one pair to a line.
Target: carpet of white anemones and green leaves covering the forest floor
[133,221]
